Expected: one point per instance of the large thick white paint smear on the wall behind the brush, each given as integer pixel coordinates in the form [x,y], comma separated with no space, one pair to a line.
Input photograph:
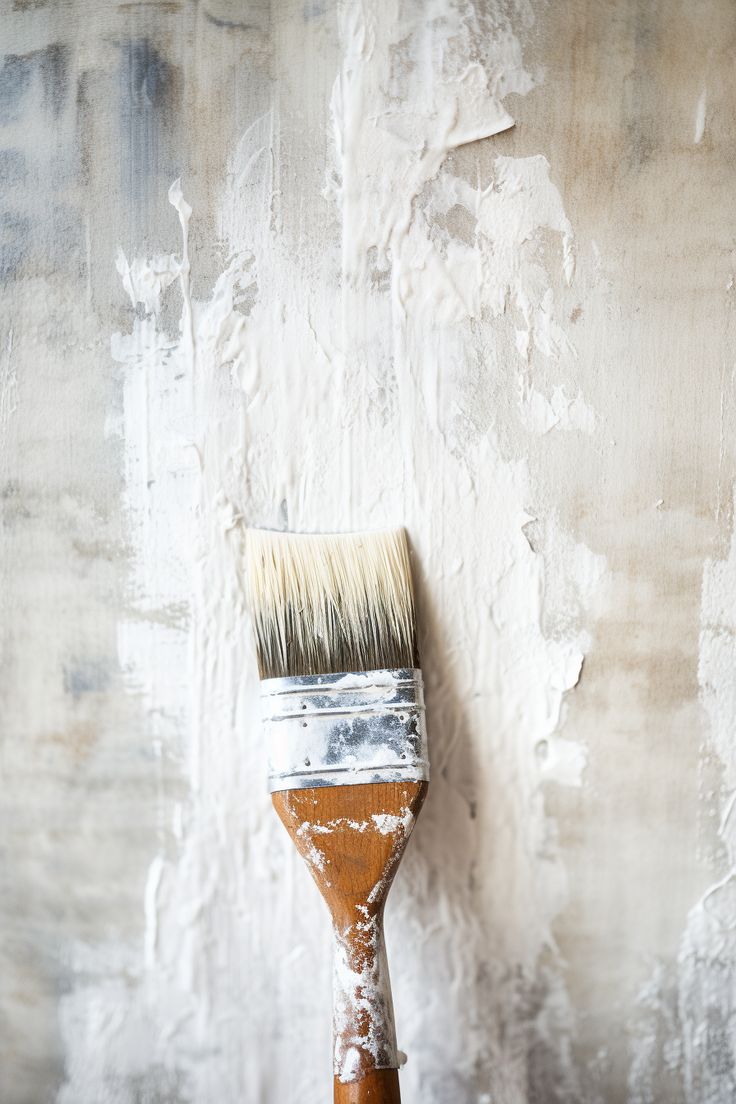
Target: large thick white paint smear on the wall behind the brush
[333,381]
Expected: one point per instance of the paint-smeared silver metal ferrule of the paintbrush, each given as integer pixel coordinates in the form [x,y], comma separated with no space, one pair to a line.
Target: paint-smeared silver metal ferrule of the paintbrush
[339,730]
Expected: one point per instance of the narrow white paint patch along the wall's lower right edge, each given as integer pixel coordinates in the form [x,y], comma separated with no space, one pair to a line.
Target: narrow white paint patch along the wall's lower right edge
[689,1031]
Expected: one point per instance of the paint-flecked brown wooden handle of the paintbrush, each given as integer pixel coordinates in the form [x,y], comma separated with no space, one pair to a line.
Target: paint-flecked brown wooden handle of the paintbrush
[353,838]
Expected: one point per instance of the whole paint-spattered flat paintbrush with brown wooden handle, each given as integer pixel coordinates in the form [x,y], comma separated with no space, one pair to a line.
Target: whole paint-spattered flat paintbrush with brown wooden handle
[344,715]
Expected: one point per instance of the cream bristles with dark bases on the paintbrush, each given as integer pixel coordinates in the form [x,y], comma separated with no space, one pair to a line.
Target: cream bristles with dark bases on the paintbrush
[333,603]
